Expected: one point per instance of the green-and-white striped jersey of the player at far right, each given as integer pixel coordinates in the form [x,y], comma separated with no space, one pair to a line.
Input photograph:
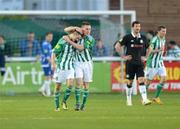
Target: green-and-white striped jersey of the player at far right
[155,60]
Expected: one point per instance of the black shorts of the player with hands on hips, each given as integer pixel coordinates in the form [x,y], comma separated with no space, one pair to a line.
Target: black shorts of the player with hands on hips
[133,69]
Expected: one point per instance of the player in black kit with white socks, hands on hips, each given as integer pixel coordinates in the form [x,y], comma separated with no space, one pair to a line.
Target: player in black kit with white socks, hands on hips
[135,45]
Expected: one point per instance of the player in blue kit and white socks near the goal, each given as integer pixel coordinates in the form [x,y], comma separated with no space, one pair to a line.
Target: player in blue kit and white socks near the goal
[46,64]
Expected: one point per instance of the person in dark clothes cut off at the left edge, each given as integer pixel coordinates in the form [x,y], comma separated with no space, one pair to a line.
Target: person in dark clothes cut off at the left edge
[2,55]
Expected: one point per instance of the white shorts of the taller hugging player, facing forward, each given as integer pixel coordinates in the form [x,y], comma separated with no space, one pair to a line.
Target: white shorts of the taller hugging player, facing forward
[84,70]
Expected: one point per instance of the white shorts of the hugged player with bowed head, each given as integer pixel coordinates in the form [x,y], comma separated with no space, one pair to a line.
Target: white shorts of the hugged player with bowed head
[60,76]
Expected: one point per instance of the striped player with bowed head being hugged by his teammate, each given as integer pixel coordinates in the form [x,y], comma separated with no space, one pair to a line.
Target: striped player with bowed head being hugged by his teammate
[63,65]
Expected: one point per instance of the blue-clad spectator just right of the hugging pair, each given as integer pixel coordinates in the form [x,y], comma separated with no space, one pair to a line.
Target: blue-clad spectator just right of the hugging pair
[100,49]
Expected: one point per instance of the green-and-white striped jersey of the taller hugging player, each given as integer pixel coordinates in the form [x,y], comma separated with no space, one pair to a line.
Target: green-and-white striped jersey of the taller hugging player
[86,54]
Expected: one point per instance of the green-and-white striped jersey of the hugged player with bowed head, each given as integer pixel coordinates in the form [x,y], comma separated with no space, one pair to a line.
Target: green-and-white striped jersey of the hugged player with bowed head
[64,55]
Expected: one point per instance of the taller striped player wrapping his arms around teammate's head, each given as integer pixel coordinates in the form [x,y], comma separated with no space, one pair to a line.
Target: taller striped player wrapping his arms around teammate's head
[83,64]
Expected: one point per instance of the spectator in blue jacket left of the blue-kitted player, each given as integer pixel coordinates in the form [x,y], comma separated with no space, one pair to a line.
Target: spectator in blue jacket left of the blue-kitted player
[30,47]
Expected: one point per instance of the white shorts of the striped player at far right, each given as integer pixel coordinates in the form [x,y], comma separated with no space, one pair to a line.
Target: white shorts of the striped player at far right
[150,73]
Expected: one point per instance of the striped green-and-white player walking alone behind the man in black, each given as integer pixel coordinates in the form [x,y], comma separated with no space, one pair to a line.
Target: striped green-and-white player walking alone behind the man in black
[154,64]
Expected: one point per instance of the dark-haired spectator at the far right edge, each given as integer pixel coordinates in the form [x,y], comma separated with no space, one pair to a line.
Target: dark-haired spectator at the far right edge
[172,49]
